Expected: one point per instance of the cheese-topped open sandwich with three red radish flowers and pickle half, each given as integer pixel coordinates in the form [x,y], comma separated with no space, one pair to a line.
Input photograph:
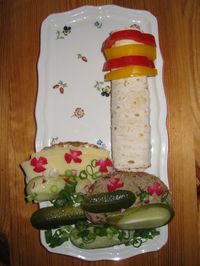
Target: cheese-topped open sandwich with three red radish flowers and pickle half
[48,171]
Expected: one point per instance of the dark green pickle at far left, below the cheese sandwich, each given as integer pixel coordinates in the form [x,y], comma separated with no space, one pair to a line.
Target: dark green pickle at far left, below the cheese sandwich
[53,217]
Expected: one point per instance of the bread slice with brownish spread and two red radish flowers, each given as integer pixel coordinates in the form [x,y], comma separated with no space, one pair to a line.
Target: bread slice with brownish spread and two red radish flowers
[148,189]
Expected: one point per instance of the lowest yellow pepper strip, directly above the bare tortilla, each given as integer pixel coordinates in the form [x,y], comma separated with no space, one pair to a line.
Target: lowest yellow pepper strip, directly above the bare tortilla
[130,71]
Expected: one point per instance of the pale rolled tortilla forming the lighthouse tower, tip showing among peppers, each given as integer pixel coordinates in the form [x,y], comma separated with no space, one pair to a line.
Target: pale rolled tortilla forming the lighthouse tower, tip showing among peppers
[130,122]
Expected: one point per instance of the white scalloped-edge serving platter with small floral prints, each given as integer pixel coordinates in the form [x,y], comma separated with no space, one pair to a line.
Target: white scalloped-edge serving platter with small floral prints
[73,101]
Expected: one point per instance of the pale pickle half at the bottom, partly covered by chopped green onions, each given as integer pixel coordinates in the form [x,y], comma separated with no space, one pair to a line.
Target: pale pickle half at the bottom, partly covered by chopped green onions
[93,241]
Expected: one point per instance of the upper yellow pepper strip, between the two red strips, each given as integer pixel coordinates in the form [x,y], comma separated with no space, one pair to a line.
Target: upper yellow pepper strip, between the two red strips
[131,49]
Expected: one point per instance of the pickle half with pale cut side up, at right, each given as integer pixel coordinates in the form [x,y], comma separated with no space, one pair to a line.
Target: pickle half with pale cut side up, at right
[148,216]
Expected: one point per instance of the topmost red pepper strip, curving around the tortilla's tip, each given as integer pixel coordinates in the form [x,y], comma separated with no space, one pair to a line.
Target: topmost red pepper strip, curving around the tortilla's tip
[129,34]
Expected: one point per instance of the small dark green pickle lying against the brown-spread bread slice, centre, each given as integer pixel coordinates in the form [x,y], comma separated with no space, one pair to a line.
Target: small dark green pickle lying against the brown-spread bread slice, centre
[108,201]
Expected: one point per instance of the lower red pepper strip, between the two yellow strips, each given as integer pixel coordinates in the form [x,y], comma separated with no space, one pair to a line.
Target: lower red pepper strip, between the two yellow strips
[126,61]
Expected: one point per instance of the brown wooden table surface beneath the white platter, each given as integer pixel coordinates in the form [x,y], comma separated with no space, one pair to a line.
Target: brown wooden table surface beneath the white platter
[179,23]
